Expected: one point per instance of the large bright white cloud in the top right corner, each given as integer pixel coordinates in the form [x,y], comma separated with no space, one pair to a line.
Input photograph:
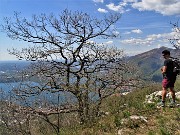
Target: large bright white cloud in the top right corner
[165,7]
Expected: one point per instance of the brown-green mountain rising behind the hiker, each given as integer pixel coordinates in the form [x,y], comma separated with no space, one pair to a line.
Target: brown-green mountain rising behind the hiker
[151,61]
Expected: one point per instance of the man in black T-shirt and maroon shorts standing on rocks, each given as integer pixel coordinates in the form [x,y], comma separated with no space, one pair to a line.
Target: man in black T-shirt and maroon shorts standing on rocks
[169,78]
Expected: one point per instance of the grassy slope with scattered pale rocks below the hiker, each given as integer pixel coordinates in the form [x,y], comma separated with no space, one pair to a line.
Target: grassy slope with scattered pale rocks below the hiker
[163,121]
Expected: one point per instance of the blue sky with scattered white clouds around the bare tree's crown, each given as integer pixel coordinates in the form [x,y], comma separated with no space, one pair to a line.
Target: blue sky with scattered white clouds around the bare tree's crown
[144,24]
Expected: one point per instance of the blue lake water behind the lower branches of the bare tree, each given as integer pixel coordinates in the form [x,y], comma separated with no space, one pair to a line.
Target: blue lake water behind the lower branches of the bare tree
[42,99]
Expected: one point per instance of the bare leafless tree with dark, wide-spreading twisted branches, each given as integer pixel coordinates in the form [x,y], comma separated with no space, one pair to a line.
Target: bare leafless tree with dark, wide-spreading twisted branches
[66,59]
